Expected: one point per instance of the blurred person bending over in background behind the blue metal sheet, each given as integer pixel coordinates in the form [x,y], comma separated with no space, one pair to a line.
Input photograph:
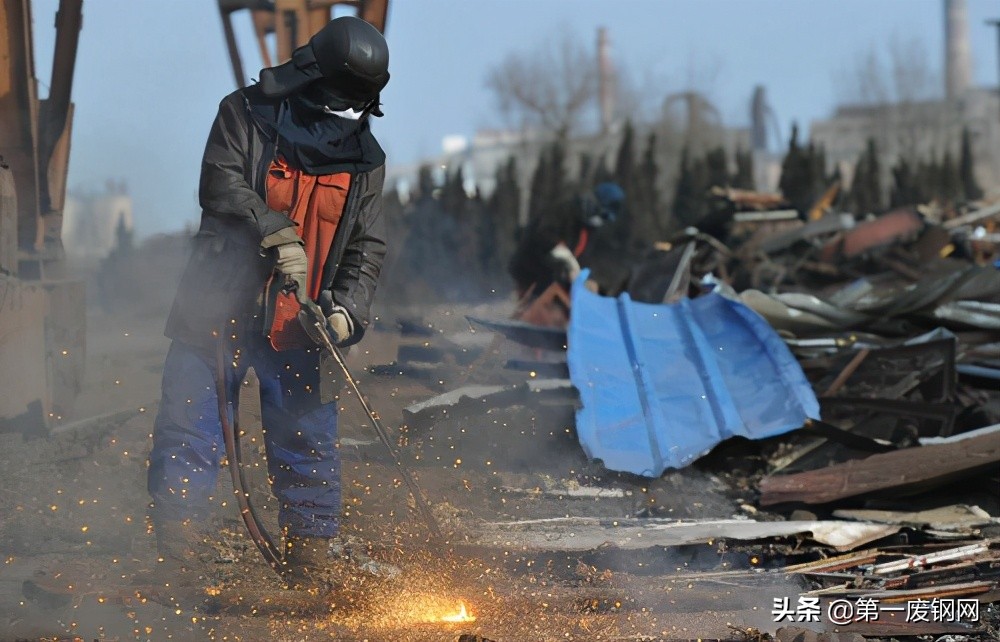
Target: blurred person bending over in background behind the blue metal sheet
[553,248]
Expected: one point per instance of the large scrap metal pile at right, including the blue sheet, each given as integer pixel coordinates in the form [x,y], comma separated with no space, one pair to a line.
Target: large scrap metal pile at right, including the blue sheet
[874,386]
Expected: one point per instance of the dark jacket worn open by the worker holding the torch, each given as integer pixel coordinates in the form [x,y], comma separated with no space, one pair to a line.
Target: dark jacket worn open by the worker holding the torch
[220,290]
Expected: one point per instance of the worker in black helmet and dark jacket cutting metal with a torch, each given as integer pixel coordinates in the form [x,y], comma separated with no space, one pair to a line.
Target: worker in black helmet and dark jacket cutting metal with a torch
[291,198]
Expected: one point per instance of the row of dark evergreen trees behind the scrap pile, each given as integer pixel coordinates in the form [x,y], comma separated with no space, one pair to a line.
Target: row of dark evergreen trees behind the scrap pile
[459,243]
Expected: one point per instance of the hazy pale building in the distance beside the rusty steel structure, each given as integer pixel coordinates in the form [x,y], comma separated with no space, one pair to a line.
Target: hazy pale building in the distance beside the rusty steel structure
[92,220]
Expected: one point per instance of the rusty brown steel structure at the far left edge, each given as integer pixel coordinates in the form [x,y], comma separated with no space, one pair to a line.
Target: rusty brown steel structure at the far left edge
[41,354]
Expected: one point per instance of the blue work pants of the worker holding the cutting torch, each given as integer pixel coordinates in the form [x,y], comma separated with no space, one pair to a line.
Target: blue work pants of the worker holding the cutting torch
[300,436]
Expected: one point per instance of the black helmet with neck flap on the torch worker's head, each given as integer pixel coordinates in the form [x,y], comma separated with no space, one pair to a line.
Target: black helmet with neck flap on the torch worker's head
[349,56]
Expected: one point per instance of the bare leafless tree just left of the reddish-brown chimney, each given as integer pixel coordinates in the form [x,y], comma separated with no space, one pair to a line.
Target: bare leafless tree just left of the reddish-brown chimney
[549,87]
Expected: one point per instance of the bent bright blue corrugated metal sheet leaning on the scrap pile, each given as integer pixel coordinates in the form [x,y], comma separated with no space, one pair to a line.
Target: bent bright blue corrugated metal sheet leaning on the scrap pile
[660,385]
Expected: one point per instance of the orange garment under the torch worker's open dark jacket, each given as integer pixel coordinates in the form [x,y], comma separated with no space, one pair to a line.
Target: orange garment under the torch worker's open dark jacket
[316,204]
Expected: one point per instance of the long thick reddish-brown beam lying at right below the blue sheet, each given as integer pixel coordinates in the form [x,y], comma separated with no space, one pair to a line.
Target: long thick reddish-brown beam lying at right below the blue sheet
[924,466]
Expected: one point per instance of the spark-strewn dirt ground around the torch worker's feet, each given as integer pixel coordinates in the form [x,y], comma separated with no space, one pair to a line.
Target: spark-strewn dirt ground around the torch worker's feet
[74,507]
